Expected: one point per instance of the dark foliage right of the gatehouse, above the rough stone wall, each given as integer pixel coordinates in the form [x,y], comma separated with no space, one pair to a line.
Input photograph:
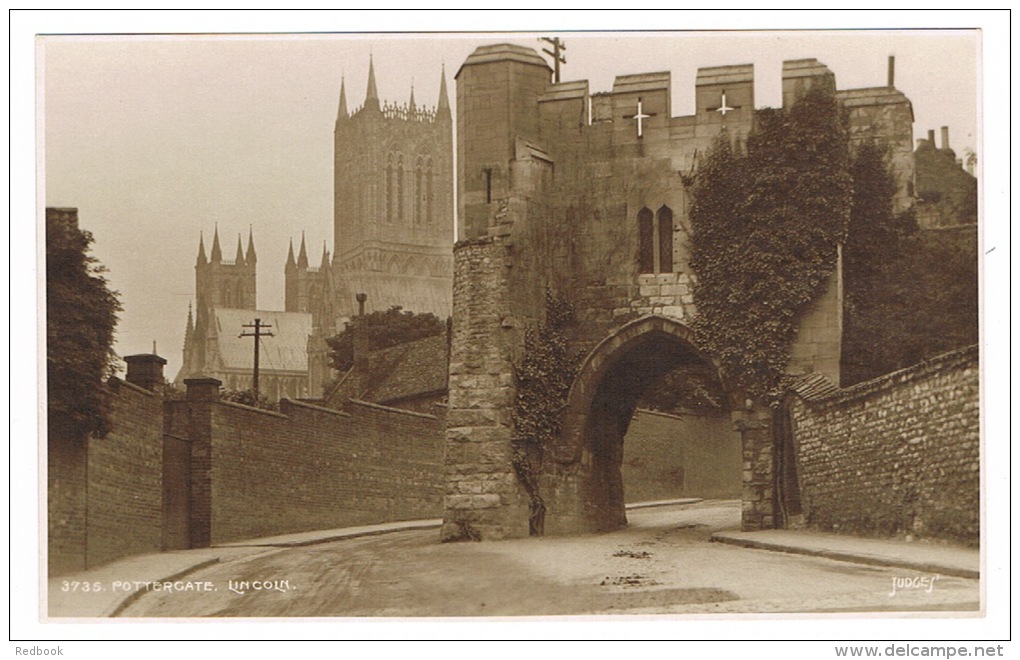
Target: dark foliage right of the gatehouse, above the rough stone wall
[909,295]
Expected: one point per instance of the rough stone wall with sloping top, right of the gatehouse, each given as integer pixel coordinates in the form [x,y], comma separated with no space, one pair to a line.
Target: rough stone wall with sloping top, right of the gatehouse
[897,455]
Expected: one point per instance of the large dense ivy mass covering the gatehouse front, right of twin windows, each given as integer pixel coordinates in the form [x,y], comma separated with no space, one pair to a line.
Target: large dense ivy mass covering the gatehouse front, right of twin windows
[764,227]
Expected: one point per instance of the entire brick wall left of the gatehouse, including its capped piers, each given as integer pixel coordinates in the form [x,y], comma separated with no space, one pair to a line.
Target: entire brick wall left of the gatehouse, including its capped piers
[253,473]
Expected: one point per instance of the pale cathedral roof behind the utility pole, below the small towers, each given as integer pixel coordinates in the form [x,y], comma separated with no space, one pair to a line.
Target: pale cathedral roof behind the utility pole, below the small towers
[285,351]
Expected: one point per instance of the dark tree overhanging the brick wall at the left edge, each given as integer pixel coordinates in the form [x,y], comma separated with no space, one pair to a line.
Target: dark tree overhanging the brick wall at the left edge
[81,319]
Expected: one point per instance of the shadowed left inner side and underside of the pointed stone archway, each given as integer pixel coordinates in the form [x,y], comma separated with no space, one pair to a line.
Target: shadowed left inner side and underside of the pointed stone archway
[585,483]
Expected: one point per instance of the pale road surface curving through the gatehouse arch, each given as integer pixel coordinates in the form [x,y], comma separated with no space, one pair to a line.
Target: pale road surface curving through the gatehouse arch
[664,564]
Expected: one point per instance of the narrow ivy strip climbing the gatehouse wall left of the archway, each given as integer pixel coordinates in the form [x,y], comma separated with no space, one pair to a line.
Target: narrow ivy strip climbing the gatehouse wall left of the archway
[543,377]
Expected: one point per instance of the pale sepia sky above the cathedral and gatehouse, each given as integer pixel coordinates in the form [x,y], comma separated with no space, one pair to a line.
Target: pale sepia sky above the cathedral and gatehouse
[159,139]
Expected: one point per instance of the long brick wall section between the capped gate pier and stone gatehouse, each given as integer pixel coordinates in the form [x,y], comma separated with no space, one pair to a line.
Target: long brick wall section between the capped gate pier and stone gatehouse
[311,468]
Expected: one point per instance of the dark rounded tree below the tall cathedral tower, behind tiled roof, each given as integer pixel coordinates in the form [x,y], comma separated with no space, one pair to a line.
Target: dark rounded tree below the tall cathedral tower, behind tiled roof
[386,329]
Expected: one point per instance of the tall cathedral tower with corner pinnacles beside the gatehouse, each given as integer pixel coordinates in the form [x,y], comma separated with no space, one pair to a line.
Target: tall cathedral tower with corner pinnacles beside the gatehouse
[393,204]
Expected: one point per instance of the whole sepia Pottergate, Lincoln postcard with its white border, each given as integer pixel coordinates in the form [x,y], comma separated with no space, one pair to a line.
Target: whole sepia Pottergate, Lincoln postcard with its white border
[659,326]
